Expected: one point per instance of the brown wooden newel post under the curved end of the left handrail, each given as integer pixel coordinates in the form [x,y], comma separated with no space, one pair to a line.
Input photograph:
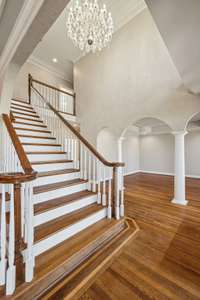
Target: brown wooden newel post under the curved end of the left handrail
[19,243]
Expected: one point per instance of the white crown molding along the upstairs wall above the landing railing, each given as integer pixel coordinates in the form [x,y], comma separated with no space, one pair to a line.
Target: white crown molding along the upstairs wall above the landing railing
[48,68]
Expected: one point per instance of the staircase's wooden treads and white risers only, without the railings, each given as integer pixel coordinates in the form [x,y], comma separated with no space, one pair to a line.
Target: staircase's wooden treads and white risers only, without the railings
[59,194]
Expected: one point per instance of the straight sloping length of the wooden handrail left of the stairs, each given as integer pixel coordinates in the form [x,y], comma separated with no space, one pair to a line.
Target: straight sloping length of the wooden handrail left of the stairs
[28,170]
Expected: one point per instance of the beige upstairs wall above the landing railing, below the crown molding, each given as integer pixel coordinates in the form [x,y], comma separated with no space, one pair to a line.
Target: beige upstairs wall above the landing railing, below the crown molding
[21,84]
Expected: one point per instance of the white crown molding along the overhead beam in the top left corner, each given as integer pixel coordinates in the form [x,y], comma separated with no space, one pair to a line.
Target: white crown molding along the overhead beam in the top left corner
[25,18]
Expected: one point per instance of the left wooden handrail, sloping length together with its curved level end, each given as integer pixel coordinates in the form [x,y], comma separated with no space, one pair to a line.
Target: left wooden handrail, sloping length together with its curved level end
[29,172]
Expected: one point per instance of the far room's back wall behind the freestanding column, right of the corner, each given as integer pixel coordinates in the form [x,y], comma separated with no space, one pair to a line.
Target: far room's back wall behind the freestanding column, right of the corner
[157,154]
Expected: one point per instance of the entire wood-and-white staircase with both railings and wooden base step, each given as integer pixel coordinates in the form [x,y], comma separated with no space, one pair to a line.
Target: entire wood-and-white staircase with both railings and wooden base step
[62,205]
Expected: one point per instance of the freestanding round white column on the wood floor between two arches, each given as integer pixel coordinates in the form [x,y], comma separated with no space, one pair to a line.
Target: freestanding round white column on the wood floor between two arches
[179,179]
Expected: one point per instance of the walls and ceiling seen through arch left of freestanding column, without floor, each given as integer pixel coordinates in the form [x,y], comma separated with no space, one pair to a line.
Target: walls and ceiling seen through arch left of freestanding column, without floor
[148,147]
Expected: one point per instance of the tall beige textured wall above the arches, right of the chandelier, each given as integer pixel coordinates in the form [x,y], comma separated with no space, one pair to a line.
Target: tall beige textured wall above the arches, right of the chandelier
[132,79]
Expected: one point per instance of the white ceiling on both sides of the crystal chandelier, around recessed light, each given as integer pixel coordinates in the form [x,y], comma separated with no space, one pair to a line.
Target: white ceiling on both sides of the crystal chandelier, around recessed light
[56,43]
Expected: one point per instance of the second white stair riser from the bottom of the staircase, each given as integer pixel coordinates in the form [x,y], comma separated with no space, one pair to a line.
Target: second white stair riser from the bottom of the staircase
[63,210]
